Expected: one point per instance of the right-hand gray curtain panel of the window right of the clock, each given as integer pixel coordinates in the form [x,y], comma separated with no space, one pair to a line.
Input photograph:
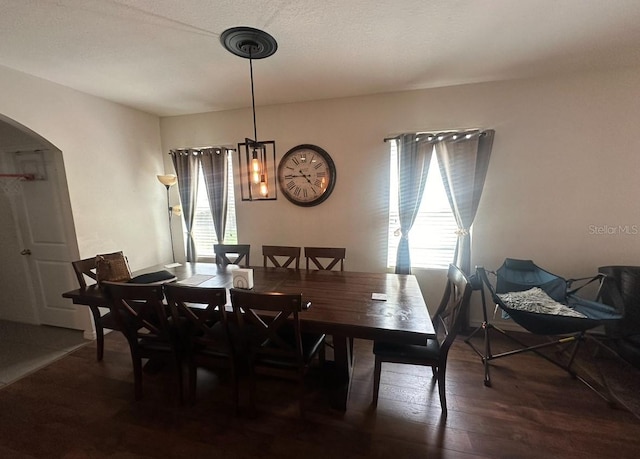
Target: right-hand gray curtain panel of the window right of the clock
[464,160]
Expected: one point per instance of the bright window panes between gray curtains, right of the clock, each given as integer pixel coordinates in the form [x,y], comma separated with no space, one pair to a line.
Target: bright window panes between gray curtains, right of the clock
[432,240]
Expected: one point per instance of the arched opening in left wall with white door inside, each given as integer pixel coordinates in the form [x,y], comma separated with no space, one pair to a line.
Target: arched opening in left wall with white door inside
[37,233]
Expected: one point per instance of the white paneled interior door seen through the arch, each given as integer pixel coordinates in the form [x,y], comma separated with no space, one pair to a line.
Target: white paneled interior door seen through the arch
[45,225]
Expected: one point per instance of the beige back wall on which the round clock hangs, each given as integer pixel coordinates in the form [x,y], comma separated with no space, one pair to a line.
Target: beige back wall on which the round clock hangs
[565,157]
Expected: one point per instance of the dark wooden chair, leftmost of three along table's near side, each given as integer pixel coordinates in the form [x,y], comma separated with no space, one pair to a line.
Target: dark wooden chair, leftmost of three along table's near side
[143,318]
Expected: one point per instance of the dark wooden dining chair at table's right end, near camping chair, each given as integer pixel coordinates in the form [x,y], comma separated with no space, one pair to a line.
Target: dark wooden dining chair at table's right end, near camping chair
[446,321]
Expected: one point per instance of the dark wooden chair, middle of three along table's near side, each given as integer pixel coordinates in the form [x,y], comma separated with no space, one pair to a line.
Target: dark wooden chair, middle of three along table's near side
[205,337]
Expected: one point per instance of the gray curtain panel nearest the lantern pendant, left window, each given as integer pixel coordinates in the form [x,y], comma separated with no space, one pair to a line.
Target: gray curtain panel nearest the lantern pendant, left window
[214,163]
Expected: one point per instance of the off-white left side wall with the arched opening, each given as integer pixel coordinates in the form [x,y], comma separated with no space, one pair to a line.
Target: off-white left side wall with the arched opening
[111,156]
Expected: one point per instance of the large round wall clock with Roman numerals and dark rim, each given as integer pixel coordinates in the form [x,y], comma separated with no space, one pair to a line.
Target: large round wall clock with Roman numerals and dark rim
[306,175]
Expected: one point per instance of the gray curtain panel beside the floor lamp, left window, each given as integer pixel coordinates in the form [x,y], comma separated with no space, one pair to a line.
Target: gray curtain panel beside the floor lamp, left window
[185,163]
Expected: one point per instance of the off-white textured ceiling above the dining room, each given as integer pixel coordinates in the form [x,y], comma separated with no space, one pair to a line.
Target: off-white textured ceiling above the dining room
[164,56]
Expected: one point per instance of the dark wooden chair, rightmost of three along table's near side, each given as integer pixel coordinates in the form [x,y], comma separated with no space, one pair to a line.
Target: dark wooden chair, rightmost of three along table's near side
[270,325]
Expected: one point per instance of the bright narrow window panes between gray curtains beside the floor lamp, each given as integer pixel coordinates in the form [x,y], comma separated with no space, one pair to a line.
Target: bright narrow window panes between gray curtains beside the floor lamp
[204,234]
